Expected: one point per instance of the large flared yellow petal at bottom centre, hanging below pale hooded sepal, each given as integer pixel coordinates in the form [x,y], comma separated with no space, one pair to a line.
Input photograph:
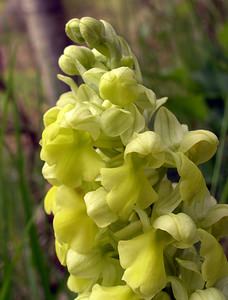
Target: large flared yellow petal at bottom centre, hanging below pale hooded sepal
[142,257]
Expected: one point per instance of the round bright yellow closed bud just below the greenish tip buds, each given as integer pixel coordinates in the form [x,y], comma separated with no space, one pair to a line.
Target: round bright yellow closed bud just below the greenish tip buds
[119,86]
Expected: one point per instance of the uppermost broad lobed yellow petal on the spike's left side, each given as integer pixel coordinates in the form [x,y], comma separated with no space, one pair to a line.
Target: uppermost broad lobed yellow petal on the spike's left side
[72,154]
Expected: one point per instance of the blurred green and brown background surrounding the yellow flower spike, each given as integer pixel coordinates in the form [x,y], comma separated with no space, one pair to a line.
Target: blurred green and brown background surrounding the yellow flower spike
[182,47]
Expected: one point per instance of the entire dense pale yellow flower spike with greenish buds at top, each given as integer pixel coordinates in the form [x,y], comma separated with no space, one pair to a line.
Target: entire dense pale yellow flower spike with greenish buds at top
[123,228]
